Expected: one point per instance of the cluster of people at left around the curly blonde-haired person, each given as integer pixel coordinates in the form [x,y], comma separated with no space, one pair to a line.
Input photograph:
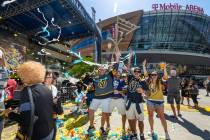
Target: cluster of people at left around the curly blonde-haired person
[31,101]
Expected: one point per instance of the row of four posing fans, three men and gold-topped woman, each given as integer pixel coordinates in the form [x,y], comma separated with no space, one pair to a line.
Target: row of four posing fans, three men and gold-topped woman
[128,92]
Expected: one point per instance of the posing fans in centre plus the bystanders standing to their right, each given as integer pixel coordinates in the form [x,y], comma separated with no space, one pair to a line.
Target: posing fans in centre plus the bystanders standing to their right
[128,90]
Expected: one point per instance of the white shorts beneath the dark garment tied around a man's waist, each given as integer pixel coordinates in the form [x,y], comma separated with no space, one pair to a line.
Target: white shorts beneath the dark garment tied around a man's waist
[132,113]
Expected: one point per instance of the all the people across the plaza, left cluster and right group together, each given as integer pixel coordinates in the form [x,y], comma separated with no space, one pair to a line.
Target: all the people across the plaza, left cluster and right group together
[124,88]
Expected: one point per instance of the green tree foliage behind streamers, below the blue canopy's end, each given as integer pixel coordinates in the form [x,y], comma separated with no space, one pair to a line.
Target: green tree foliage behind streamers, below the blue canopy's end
[81,68]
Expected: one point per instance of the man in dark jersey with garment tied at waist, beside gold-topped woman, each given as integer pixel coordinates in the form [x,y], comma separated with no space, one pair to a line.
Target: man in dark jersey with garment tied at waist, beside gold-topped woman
[134,104]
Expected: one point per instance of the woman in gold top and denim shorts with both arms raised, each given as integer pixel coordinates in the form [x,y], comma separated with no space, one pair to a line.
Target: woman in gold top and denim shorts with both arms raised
[155,99]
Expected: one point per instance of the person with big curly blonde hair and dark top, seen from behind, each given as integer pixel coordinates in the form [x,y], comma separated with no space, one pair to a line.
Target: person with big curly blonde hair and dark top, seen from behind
[36,104]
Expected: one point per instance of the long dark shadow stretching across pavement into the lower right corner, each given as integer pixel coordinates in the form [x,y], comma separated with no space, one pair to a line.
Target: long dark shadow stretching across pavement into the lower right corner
[193,129]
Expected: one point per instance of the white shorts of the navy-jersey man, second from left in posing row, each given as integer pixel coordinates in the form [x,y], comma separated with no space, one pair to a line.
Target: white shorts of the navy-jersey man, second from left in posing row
[119,104]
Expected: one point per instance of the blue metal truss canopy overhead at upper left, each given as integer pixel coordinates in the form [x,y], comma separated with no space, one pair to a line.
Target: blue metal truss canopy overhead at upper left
[23,16]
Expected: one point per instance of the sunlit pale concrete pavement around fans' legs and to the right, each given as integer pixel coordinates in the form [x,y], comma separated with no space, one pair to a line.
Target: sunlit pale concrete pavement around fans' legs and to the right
[193,125]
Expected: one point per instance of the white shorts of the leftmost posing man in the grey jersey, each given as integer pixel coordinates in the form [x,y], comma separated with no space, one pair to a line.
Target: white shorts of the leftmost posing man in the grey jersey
[104,103]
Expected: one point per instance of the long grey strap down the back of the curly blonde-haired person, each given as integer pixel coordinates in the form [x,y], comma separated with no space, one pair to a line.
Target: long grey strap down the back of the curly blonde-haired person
[20,135]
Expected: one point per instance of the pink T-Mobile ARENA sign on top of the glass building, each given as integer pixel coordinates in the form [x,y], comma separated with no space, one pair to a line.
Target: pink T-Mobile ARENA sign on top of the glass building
[176,6]
